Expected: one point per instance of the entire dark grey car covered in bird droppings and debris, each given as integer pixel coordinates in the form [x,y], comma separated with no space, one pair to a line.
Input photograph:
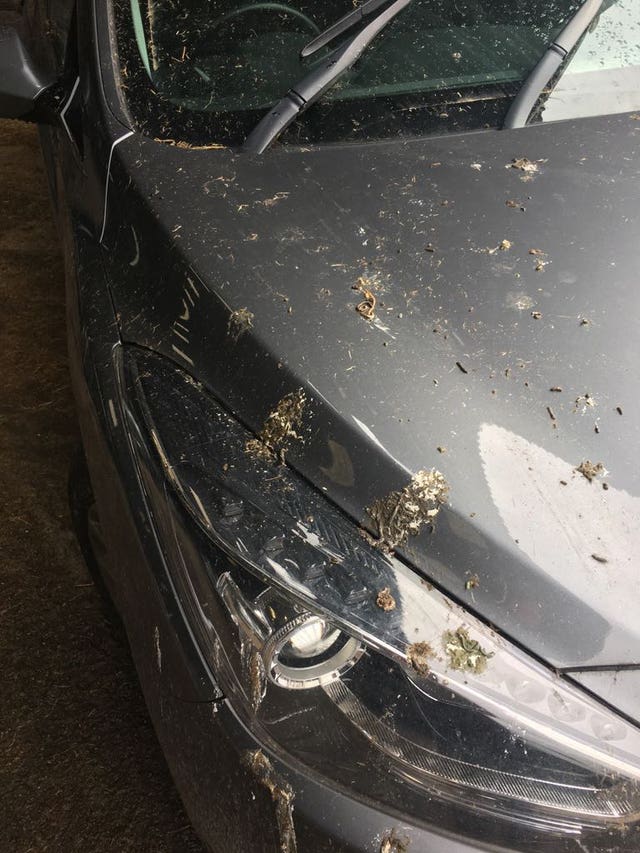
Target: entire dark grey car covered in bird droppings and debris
[353,319]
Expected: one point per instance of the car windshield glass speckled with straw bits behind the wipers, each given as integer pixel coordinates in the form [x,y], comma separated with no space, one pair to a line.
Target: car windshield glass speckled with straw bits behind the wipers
[204,72]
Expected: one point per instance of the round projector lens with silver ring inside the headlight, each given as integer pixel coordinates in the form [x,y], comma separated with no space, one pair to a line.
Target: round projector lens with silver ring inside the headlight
[309,652]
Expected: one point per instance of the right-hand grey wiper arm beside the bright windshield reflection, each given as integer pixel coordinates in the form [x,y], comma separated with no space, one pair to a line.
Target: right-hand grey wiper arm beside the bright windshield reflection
[555,55]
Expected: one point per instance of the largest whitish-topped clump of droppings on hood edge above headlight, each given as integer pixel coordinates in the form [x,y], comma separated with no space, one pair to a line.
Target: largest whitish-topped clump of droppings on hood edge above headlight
[404,513]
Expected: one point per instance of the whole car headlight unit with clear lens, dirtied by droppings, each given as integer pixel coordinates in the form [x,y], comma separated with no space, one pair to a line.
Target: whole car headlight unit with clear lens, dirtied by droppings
[286,611]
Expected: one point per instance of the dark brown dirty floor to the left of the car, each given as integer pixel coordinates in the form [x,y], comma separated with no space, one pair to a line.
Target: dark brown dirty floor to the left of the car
[80,769]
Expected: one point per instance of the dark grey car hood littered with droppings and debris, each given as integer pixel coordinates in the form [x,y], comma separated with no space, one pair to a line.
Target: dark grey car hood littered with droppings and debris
[503,351]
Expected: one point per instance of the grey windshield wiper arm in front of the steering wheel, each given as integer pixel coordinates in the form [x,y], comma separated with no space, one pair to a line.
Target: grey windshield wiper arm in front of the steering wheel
[305,93]
